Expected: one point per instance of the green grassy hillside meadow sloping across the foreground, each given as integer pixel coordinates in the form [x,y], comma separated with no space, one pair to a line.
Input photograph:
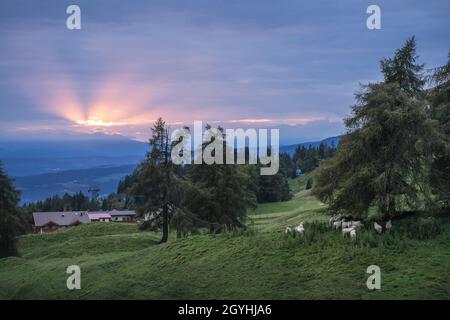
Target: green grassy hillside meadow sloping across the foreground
[118,261]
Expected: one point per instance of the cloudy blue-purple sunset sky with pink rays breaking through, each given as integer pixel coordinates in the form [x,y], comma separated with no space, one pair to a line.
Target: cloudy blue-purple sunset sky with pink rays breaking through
[293,65]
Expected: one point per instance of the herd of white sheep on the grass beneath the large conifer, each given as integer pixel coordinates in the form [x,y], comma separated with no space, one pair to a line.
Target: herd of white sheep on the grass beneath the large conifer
[347,226]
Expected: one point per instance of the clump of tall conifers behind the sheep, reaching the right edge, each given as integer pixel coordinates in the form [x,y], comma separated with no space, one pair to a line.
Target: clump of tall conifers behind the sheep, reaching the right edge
[395,156]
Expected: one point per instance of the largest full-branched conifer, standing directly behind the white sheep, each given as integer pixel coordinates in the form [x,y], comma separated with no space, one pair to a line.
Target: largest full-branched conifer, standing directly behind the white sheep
[383,159]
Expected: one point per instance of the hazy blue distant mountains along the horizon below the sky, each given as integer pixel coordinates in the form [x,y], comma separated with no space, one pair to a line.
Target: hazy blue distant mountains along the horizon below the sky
[45,168]
